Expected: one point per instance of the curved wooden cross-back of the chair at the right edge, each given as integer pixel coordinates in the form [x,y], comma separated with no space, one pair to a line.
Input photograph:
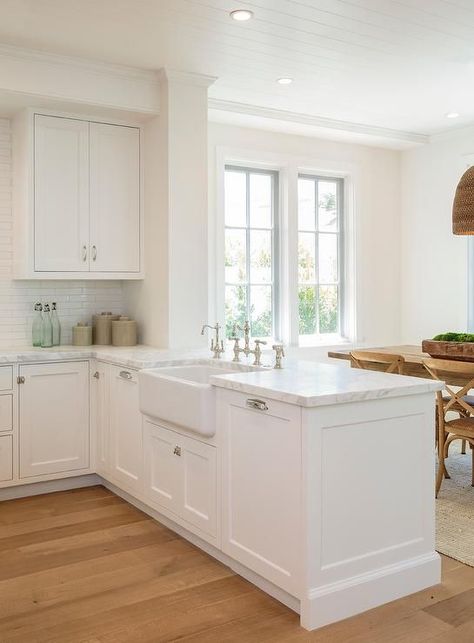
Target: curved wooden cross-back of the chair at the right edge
[441,369]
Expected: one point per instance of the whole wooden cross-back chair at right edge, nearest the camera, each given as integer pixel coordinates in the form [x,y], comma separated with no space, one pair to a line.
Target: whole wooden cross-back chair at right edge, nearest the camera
[461,428]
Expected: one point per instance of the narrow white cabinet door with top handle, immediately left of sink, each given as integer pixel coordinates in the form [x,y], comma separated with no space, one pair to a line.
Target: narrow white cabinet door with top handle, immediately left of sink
[126,439]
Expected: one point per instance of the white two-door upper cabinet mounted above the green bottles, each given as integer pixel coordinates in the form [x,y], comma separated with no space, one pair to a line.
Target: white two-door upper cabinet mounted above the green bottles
[77,199]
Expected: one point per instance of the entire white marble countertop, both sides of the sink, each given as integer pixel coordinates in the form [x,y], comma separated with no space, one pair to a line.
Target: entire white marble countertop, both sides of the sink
[303,383]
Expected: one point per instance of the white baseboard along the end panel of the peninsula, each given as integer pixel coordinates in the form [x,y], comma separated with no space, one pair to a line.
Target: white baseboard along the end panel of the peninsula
[337,601]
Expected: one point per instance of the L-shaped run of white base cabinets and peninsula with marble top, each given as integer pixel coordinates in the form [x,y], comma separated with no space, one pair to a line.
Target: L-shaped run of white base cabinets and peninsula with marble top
[309,454]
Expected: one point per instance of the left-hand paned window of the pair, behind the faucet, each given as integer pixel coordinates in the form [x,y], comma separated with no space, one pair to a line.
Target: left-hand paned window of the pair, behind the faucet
[251,250]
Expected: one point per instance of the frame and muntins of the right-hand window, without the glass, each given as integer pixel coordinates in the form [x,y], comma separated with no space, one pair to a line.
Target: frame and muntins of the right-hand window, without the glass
[318,338]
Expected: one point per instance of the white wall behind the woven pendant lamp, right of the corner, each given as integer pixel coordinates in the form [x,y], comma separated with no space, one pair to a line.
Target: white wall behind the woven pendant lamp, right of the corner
[433,260]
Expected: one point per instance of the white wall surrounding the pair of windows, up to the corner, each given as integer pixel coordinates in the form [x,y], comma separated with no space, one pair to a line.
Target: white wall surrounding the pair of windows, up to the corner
[376,178]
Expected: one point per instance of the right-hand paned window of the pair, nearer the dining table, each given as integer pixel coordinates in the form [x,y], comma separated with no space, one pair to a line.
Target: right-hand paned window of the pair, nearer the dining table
[319,256]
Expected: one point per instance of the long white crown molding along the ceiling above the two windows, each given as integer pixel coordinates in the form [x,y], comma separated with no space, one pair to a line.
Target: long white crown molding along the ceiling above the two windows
[318,121]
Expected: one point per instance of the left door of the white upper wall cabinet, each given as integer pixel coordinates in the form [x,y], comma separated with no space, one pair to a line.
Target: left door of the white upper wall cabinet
[61,189]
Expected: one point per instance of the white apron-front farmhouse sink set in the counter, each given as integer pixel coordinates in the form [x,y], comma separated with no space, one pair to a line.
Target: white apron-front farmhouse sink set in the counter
[182,395]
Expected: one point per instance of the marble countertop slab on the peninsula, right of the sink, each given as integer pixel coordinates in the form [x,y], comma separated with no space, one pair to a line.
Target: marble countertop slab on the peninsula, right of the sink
[316,384]
